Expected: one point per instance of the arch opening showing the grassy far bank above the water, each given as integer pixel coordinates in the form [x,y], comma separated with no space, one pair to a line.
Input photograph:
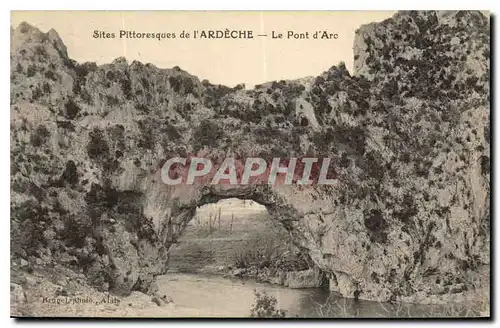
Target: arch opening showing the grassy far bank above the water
[238,237]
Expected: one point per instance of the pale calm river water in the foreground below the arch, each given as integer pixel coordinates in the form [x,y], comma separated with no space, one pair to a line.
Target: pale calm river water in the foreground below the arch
[213,295]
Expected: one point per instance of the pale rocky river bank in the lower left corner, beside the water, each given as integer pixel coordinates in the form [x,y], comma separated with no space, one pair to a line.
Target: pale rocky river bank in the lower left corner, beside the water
[61,292]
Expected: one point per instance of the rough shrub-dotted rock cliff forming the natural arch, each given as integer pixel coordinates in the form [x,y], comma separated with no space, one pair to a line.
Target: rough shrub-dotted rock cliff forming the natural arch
[409,133]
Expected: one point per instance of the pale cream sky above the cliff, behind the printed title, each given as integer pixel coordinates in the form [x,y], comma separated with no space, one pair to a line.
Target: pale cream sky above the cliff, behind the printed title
[223,61]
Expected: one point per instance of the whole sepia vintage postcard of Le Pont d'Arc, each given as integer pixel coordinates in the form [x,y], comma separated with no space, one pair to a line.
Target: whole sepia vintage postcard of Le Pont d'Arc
[250,164]
